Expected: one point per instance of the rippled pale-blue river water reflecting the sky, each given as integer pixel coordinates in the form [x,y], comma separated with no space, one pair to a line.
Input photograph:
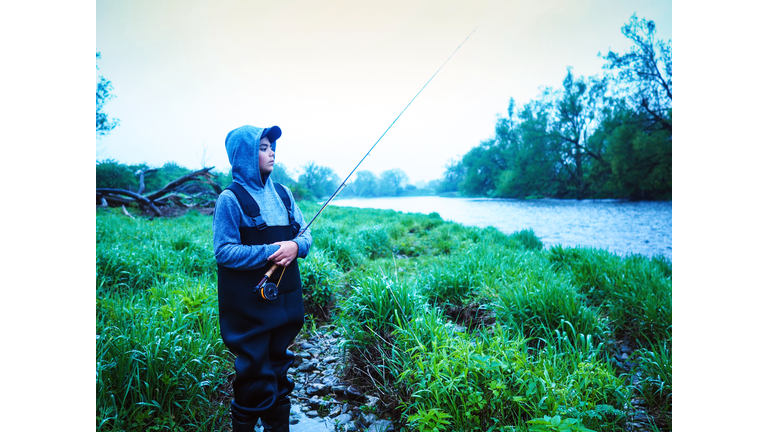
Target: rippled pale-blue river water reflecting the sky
[619,226]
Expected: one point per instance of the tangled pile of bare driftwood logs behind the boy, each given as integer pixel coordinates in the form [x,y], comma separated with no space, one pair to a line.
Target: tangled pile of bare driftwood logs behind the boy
[170,194]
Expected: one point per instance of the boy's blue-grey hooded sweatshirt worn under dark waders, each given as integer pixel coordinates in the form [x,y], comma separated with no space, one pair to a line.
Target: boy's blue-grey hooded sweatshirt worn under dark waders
[243,150]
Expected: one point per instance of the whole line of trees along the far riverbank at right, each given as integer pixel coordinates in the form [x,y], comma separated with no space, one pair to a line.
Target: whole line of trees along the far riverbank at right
[604,136]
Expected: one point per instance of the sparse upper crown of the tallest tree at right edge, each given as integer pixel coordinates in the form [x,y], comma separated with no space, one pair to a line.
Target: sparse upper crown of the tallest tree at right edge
[639,77]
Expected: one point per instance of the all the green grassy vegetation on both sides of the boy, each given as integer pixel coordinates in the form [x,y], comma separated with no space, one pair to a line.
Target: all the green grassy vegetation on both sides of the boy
[453,327]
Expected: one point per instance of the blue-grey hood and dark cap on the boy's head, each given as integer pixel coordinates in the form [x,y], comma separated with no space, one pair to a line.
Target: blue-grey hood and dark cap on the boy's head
[242,146]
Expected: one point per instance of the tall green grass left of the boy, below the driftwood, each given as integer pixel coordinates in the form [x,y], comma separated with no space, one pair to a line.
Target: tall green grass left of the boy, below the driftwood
[160,363]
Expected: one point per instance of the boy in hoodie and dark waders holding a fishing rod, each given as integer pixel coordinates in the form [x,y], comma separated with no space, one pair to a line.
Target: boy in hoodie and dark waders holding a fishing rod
[255,224]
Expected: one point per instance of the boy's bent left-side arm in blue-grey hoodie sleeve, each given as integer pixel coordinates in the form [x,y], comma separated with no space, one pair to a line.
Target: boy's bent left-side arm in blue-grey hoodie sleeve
[227,248]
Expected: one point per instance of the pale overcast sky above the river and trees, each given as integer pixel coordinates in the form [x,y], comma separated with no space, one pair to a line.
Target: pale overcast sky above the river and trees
[335,74]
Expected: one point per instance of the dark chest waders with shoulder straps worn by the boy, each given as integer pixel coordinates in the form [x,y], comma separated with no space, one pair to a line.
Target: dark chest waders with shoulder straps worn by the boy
[256,330]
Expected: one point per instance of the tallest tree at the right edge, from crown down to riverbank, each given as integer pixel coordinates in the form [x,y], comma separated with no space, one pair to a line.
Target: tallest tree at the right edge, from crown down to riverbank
[639,132]
